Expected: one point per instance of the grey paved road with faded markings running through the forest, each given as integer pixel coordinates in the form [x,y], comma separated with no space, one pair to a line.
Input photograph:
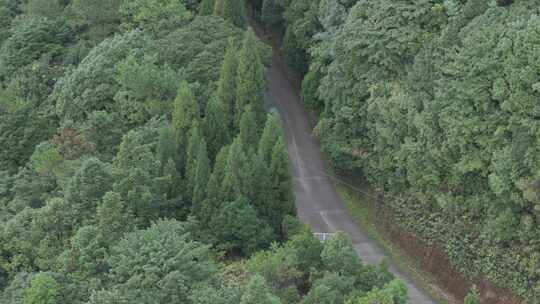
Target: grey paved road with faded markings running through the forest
[318,203]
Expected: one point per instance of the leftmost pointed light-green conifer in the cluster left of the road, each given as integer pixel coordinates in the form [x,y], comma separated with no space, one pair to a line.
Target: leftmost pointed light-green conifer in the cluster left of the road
[185,112]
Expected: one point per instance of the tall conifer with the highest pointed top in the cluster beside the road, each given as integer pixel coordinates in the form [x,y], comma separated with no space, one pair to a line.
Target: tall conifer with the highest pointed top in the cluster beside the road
[250,80]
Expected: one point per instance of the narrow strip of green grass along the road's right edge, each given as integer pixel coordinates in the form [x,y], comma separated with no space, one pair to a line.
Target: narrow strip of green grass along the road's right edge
[361,208]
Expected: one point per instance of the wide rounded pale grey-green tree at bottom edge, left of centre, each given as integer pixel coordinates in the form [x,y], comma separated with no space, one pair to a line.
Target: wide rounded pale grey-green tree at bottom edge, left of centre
[160,264]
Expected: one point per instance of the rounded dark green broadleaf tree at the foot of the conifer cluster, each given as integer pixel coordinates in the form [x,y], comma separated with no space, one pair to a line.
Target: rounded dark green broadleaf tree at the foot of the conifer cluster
[238,229]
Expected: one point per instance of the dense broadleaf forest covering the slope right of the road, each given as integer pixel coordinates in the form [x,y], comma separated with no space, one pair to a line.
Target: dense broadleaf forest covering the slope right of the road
[436,104]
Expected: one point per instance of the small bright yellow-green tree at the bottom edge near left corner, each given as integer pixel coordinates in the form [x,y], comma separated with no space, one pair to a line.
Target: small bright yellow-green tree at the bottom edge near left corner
[43,290]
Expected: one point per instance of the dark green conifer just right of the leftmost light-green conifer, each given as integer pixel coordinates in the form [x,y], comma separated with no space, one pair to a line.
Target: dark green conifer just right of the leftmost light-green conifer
[216,127]
